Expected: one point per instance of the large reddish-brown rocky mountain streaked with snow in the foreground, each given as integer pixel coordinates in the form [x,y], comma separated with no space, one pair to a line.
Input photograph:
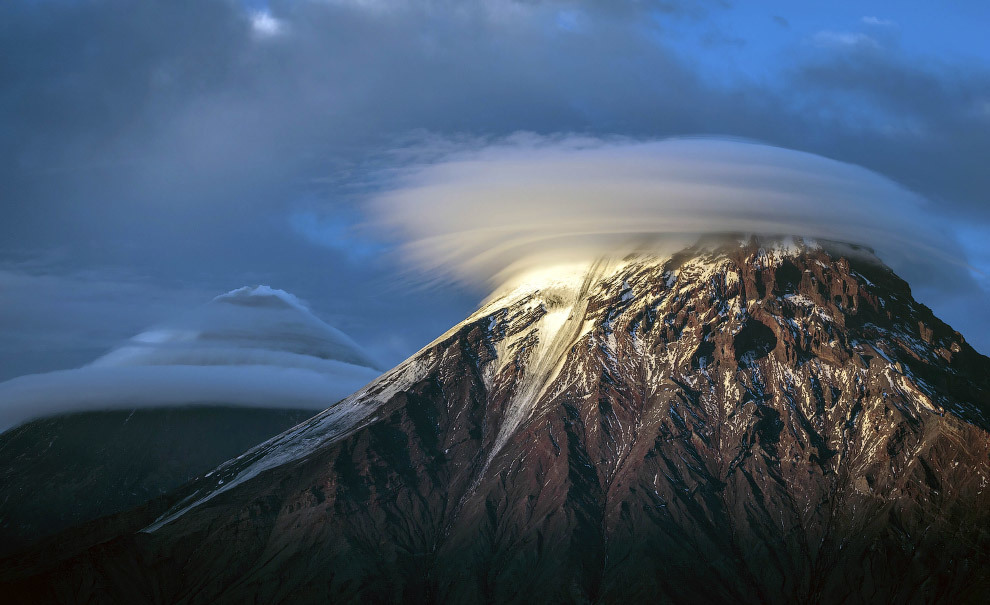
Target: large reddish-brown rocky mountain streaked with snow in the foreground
[747,423]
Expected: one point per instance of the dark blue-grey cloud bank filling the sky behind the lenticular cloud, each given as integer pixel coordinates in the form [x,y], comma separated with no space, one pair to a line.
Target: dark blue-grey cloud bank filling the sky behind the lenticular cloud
[206,144]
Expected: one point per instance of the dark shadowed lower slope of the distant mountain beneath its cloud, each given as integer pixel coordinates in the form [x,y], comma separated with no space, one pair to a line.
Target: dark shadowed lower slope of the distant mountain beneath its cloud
[65,470]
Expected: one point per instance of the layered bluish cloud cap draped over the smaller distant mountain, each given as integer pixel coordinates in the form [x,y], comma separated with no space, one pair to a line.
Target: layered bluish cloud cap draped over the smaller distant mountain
[257,347]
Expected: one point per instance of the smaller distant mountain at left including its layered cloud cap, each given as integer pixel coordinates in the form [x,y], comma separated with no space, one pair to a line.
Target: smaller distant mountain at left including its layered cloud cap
[169,404]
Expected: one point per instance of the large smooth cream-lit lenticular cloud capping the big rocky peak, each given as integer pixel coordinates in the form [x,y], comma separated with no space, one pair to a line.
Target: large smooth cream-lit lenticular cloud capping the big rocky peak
[484,214]
